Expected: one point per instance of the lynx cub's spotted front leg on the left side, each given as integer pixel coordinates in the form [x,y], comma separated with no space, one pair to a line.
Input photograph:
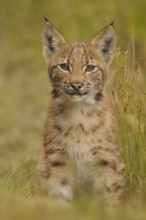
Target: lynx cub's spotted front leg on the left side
[57,178]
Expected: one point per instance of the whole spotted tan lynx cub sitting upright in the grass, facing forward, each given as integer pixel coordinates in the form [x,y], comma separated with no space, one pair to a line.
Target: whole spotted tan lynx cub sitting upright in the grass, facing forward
[81,140]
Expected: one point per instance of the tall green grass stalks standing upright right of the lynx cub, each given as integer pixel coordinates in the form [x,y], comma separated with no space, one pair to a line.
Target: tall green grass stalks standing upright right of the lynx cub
[130,97]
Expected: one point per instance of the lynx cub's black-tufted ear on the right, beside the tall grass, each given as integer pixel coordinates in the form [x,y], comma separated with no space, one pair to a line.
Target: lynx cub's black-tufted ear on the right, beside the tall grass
[104,42]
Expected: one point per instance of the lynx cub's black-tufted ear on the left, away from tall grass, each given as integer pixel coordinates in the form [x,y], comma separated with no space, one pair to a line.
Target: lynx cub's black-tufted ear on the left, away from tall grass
[52,40]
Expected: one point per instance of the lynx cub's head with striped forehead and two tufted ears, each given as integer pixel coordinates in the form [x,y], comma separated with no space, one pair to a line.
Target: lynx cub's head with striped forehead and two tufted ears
[78,70]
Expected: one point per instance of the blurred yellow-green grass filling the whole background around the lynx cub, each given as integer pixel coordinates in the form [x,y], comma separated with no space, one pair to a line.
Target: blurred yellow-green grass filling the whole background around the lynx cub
[24,97]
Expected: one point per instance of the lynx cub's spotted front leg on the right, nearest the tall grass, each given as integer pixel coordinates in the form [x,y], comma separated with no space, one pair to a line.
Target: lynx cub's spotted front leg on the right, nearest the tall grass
[108,176]
